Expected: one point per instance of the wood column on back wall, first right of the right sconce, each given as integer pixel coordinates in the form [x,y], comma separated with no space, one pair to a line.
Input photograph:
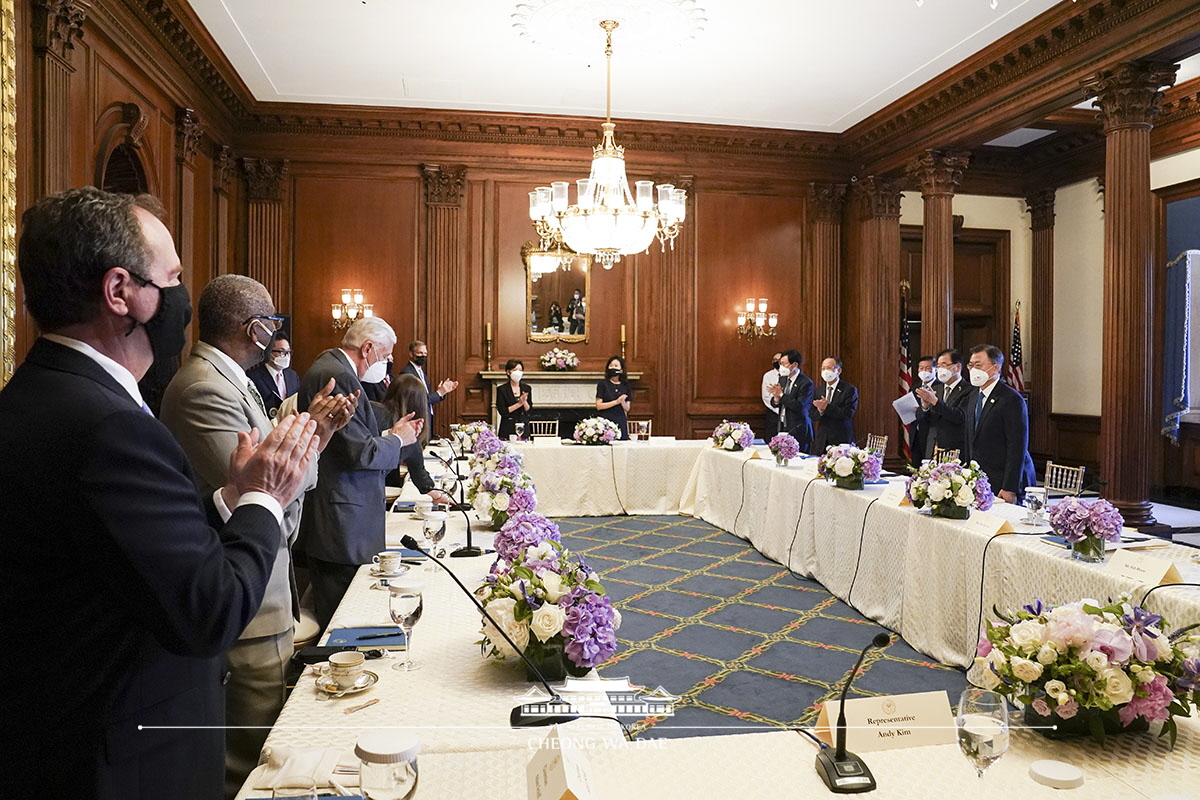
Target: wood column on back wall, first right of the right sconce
[824,296]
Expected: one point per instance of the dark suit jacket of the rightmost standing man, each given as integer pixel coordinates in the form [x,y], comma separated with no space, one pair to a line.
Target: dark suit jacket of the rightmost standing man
[1001,441]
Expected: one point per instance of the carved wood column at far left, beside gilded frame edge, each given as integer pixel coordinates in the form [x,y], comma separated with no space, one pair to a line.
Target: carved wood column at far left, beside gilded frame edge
[56,26]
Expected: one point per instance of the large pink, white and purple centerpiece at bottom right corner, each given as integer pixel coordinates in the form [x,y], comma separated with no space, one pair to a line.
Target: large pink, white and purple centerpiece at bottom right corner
[1088,670]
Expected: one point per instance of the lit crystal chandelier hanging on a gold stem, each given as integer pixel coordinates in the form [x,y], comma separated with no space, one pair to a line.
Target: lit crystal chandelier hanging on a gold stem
[608,221]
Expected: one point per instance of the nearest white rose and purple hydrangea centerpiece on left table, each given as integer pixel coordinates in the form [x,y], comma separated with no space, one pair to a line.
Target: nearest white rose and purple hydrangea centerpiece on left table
[554,607]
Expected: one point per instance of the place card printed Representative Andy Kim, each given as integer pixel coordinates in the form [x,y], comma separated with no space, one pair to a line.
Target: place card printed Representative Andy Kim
[891,723]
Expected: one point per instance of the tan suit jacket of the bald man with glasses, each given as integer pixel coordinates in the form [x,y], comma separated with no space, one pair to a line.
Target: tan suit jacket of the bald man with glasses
[206,406]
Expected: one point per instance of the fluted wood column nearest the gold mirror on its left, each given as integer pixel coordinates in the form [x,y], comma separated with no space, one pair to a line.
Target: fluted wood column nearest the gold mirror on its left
[445,281]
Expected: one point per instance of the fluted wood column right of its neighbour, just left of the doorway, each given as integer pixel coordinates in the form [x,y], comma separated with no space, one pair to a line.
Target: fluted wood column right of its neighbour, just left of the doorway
[877,302]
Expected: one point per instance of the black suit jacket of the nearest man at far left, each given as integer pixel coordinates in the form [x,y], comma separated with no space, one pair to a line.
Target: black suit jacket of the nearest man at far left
[159,597]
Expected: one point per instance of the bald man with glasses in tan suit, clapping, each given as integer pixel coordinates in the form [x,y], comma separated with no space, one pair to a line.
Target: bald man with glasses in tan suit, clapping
[209,401]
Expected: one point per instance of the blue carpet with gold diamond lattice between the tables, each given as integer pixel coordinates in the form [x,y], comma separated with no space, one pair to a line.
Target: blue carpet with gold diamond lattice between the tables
[745,643]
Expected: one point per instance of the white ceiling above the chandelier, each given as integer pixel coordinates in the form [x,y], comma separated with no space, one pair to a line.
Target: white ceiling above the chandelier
[813,65]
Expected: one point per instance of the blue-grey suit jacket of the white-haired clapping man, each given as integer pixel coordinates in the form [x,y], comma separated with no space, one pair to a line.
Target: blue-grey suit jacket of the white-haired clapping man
[344,518]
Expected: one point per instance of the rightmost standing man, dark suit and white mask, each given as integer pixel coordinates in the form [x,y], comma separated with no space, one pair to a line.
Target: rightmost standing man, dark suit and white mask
[998,426]
